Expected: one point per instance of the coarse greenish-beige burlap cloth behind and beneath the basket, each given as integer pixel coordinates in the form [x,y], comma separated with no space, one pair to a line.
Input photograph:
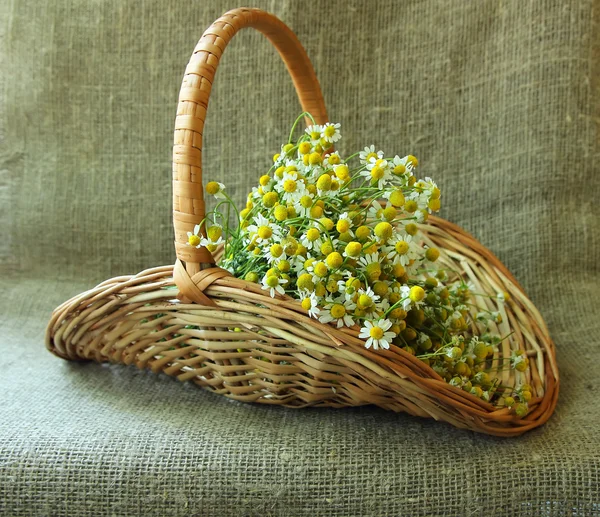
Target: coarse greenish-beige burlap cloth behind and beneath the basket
[500,102]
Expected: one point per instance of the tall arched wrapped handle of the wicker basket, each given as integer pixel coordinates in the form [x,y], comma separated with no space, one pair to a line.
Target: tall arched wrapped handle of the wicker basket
[188,198]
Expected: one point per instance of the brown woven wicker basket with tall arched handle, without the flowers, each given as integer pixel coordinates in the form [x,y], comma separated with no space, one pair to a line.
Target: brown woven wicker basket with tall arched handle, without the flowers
[196,322]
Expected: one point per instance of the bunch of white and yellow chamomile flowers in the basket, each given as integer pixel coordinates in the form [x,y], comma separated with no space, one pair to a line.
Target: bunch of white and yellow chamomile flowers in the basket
[343,236]
